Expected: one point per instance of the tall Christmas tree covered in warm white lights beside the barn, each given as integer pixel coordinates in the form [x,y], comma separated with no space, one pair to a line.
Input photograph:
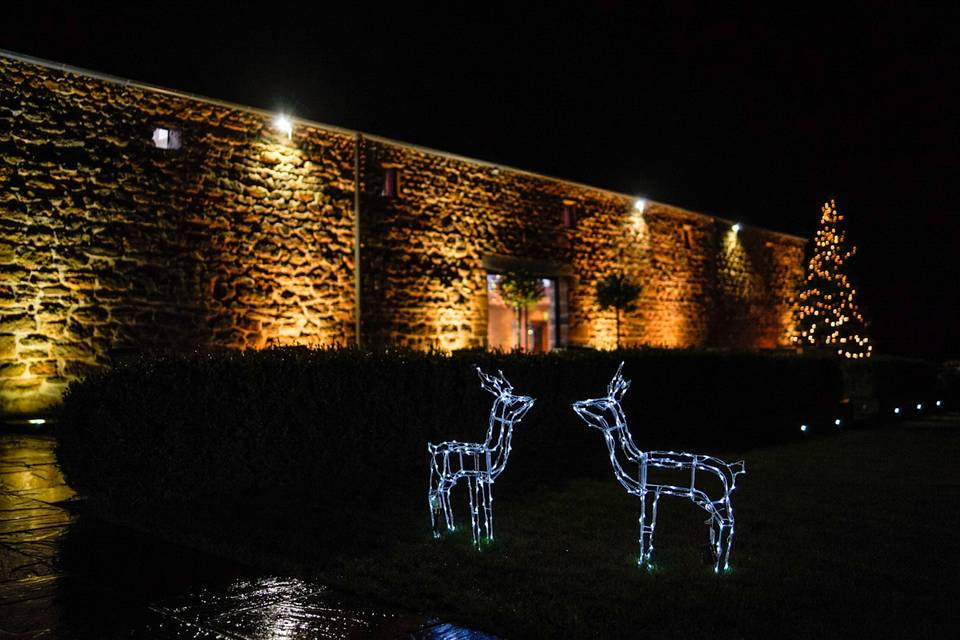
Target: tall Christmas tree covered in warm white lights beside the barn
[828,316]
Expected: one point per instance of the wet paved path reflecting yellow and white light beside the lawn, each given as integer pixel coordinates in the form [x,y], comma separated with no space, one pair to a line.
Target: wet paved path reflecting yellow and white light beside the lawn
[67,576]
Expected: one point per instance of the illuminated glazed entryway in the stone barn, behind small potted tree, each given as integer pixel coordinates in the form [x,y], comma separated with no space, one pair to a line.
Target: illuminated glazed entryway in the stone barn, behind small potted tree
[532,329]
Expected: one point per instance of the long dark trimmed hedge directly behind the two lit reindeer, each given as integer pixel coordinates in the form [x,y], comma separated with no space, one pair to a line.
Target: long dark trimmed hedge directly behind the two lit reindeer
[342,423]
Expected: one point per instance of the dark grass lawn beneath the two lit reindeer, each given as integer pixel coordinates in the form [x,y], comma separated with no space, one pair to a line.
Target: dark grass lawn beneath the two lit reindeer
[843,536]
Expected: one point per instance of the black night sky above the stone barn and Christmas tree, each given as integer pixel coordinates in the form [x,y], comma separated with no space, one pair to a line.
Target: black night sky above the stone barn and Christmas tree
[756,116]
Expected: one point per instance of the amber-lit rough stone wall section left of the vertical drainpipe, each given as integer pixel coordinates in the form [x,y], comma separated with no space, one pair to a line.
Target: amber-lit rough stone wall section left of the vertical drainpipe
[239,238]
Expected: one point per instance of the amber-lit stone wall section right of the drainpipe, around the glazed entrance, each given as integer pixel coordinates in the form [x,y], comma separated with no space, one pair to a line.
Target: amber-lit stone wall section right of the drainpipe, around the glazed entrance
[426,253]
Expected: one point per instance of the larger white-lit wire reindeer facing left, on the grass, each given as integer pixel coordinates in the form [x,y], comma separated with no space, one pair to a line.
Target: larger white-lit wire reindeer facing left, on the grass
[607,415]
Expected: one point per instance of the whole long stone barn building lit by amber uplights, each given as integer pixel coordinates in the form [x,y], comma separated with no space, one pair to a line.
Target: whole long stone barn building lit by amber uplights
[138,217]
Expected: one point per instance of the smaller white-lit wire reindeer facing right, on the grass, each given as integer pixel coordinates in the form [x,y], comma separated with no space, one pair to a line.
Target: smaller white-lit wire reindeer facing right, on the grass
[479,463]
